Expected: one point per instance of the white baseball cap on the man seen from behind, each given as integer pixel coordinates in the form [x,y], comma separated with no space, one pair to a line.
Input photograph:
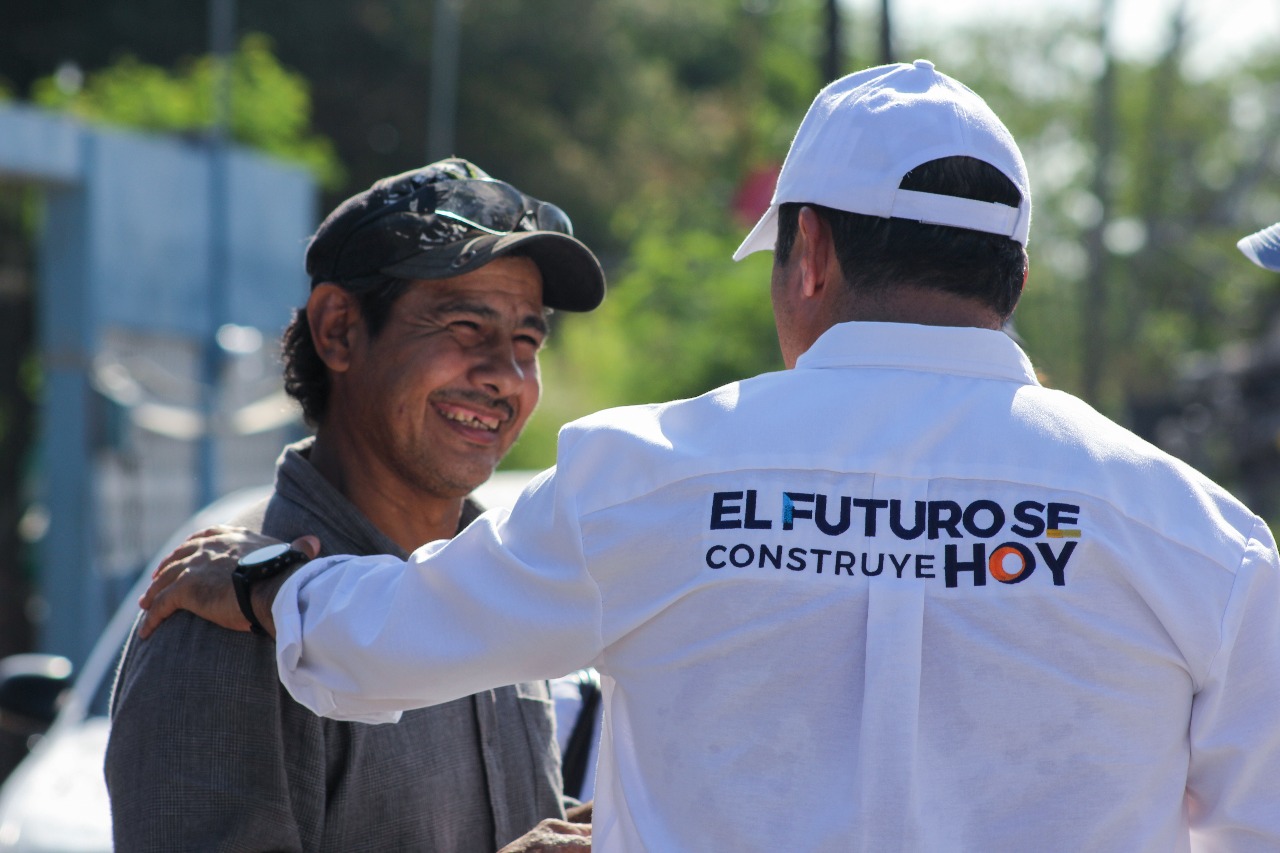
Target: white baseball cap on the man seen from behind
[868,130]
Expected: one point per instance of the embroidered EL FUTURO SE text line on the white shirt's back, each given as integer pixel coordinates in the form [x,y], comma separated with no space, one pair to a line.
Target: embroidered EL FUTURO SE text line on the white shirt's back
[982,519]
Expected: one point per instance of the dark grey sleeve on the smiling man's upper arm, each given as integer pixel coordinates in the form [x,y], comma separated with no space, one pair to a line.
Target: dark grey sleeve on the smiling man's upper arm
[195,758]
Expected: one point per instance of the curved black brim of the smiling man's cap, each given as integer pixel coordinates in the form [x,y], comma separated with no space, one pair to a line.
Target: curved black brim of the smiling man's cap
[573,280]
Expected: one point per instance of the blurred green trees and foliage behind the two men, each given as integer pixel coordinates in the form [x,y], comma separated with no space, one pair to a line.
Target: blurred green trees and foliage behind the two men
[642,118]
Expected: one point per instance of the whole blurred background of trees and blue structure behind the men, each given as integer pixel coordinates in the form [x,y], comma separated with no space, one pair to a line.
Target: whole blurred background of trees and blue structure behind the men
[140,376]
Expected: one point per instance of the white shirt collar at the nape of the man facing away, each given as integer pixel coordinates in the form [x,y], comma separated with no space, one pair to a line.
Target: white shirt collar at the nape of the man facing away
[954,350]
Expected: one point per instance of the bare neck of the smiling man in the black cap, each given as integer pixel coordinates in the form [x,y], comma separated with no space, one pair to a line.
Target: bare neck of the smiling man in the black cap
[409,517]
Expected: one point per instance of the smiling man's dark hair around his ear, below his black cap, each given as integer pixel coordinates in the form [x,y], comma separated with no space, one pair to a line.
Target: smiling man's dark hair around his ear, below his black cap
[307,378]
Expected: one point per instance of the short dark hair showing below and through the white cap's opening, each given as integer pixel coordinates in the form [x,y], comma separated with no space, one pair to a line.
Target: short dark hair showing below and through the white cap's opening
[876,253]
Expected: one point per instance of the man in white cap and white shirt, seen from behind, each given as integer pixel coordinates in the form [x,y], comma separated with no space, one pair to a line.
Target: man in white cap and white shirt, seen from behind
[898,597]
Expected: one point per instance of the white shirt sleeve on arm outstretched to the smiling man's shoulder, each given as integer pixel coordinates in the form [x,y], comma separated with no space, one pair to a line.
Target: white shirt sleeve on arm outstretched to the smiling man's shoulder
[508,600]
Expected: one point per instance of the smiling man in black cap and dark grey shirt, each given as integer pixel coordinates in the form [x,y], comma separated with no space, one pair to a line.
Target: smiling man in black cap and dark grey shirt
[417,362]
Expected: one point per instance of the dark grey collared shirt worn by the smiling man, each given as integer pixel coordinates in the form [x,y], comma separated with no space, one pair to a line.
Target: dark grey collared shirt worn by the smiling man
[209,752]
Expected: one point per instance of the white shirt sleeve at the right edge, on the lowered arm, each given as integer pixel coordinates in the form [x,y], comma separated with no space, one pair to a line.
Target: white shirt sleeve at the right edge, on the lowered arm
[1235,776]
